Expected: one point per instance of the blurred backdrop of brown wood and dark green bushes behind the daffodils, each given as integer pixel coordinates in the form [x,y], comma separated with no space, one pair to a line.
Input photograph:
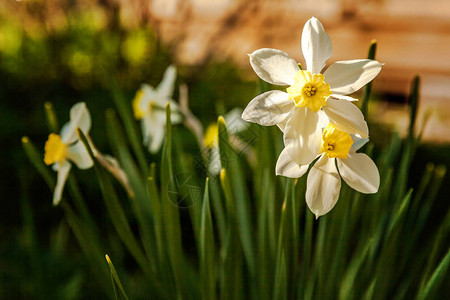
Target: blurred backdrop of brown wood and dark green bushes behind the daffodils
[68,51]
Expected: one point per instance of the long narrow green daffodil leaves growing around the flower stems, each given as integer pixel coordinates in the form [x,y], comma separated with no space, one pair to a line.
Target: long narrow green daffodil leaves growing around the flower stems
[269,246]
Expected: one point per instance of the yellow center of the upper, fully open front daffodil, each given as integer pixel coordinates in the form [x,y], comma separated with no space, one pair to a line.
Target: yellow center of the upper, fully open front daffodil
[309,90]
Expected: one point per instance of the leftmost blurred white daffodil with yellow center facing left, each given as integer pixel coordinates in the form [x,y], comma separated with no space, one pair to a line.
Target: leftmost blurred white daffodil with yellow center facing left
[62,149]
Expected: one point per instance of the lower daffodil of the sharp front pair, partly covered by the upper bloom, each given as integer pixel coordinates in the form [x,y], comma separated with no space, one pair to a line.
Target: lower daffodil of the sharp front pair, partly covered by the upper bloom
[324,181]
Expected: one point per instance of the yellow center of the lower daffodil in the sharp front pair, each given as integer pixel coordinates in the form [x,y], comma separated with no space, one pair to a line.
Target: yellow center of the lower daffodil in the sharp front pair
[336,143]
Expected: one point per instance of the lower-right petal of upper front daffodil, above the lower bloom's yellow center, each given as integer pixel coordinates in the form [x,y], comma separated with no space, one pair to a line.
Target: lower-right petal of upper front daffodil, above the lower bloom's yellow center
[347,117]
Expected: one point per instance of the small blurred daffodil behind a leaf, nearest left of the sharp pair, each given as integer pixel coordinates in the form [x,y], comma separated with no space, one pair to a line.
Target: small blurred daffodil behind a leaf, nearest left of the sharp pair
[235,124]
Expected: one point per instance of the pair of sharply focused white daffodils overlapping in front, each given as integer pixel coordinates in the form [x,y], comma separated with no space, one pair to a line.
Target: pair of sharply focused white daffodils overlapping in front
[320,124]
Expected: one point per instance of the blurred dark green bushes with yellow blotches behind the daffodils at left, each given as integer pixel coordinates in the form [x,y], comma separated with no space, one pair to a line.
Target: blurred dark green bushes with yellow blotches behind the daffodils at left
[74,63]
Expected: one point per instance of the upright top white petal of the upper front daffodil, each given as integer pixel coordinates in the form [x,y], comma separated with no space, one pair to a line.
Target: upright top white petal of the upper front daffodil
[316,46]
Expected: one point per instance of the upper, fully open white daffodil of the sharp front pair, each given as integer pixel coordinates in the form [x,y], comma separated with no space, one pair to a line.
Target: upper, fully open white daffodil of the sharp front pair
[309,93]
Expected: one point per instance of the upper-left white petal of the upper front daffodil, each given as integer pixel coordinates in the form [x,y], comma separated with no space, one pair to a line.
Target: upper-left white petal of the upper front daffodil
[274,66]
